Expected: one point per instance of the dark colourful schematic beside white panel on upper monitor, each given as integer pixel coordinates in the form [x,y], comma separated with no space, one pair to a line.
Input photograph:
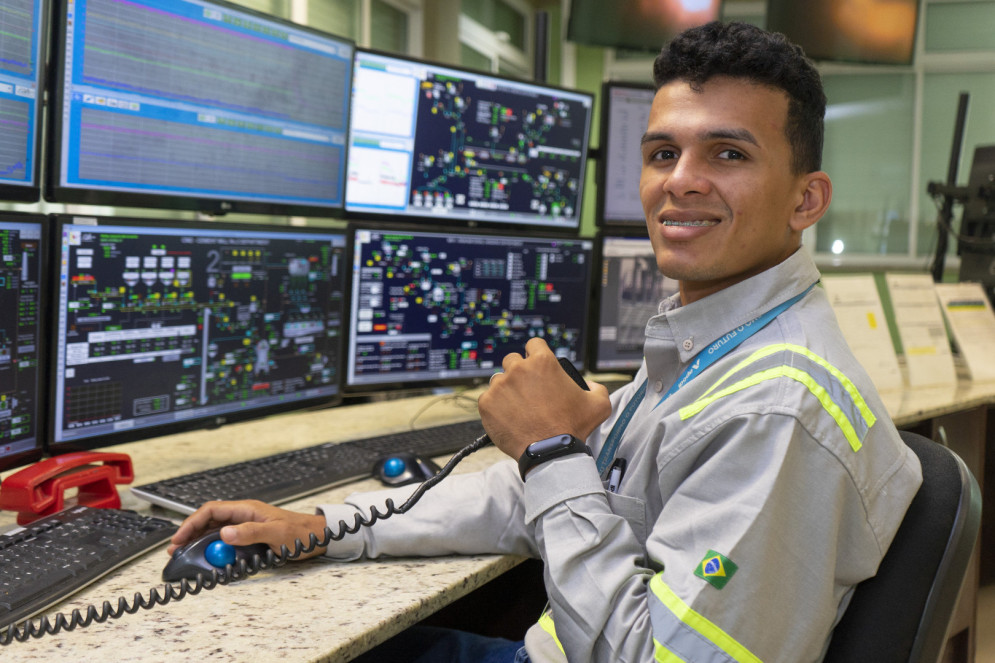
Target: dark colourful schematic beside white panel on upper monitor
[482,148]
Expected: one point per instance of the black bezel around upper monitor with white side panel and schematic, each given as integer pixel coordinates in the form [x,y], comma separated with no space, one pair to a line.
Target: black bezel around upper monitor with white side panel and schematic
[427,220]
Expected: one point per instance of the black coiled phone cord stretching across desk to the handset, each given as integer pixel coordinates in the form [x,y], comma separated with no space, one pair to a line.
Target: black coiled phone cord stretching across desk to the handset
[33,628]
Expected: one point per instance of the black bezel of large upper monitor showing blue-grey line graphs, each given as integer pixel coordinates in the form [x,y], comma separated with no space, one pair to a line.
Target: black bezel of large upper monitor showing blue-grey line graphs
[56,192]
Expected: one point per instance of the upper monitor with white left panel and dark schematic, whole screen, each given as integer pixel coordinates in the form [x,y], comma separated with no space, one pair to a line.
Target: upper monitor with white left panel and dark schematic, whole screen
[430,141]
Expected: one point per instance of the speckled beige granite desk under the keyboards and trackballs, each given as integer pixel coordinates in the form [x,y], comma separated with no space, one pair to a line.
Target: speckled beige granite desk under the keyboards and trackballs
[294,613]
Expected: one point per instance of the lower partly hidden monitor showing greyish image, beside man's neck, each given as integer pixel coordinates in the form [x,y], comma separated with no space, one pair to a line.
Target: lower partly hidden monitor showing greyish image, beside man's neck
[628,293]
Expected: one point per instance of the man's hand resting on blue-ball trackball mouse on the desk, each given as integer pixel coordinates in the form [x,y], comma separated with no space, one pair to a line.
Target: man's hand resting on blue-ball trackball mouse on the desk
[249,521]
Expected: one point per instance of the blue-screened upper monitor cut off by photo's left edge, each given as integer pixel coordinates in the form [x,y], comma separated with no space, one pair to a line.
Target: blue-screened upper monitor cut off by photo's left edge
[22,73]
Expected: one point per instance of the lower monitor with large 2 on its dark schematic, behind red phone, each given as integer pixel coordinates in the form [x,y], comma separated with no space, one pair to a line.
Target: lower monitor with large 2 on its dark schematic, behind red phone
[161,327]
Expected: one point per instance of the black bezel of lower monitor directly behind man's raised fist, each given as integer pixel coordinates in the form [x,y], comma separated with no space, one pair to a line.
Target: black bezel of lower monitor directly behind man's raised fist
[469,382]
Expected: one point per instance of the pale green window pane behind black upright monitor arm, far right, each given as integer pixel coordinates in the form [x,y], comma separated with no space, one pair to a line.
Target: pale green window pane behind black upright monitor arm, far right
[940,97]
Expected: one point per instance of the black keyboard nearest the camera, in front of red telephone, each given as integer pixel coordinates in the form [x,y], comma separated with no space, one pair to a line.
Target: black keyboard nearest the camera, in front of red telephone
[56,556]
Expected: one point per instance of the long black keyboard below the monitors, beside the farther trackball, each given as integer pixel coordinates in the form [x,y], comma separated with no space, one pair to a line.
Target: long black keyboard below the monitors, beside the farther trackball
[292,474]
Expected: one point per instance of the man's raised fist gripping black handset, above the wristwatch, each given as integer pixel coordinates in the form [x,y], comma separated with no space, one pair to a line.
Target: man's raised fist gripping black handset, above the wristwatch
[534,399]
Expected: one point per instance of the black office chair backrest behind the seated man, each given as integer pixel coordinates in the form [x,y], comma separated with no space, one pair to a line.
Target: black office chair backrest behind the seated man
[902,613]
